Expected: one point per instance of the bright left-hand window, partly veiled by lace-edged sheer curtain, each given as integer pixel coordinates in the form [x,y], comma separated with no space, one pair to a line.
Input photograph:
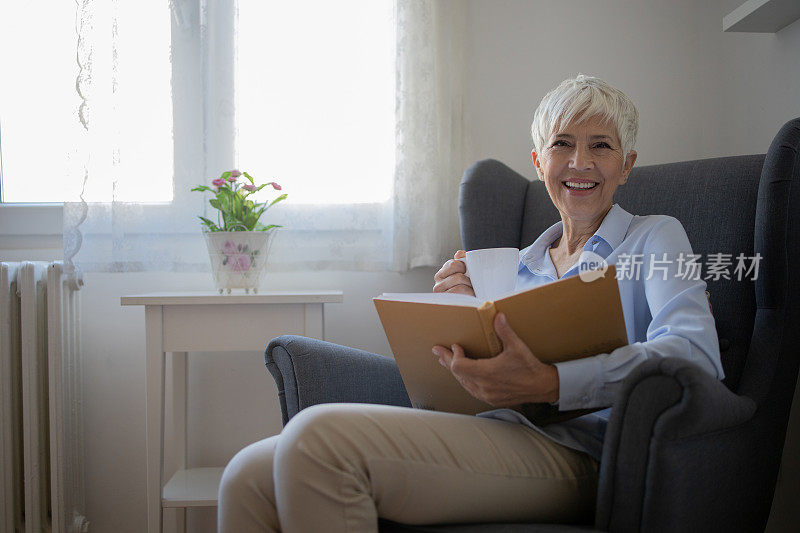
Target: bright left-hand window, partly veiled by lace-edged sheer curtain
[43,146]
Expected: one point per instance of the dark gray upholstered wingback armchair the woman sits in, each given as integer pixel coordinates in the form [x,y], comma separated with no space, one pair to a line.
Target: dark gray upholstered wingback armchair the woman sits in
[683,452]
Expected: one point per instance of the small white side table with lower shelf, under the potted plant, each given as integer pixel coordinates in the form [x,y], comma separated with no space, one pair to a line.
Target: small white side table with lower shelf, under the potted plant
[188,322]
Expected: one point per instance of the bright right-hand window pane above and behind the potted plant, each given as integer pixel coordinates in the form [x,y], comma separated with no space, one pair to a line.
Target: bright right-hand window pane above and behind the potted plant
[315,98]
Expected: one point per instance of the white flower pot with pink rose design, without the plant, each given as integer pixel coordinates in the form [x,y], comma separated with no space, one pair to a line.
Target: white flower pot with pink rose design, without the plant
[238,258]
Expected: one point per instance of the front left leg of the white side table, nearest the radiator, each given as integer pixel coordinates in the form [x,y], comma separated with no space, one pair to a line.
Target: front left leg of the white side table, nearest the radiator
[155,414]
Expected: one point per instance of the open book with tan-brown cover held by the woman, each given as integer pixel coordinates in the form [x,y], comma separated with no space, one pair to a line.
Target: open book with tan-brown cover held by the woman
[563,320]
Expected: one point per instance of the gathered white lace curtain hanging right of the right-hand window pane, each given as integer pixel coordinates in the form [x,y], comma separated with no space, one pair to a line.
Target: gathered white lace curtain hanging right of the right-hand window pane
[430,127]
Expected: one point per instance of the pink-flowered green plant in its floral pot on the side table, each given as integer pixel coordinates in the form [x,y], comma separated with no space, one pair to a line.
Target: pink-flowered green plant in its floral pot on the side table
[238,244]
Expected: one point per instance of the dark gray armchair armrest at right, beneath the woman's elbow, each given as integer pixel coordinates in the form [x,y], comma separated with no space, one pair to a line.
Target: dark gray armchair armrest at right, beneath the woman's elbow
[678,453]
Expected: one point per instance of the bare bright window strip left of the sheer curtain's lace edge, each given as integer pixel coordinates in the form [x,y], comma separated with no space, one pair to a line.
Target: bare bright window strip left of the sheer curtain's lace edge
[38,102]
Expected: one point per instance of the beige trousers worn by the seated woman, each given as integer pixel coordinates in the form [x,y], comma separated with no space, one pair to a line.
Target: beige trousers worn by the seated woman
[338,467]
